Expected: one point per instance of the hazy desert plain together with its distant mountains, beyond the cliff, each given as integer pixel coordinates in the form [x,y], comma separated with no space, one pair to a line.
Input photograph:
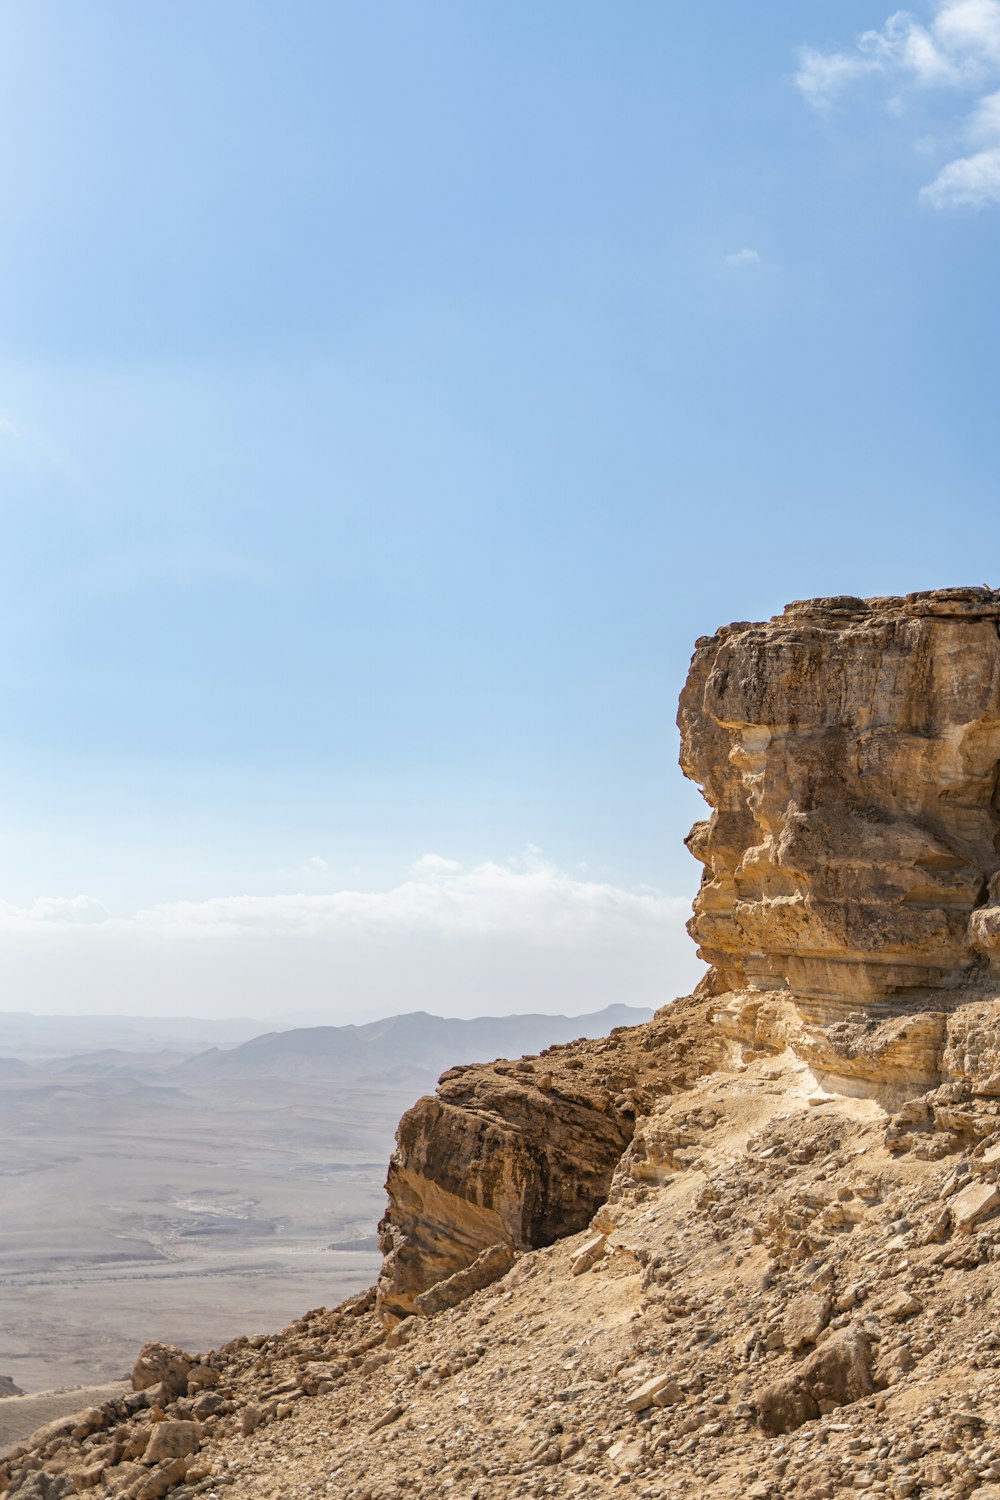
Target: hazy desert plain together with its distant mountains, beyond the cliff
[151,1195]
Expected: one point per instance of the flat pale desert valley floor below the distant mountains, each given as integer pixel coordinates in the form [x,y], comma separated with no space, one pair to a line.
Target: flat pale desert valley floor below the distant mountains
[190,1214]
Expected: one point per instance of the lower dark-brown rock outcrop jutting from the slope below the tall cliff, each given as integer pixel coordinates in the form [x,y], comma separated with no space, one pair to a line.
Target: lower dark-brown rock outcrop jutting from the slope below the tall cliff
[519,1154]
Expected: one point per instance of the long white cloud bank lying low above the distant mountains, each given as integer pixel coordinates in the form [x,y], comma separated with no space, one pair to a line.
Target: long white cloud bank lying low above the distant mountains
[494,937]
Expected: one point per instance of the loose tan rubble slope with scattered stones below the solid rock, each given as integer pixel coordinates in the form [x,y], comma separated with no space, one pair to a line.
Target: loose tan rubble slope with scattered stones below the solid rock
[788,1294]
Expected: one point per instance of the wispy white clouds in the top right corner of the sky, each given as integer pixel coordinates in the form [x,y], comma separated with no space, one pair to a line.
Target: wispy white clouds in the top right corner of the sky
[957,52]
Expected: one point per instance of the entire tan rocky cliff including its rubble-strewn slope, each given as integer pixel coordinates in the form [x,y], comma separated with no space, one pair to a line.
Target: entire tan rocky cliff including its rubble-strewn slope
[749,1250]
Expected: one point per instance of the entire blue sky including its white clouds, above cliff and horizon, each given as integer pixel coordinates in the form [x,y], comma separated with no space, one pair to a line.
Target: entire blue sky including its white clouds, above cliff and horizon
[389,398]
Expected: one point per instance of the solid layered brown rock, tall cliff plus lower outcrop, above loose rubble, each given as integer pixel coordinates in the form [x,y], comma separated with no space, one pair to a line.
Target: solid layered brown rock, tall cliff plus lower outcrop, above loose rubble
[851,754]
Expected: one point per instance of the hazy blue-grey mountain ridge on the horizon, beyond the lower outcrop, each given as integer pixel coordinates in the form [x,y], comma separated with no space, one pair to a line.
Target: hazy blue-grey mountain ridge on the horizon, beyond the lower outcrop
[398,1048]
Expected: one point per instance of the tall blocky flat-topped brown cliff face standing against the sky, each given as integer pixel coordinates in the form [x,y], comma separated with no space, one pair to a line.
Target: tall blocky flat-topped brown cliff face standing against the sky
[851,754]
